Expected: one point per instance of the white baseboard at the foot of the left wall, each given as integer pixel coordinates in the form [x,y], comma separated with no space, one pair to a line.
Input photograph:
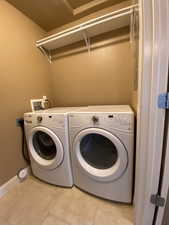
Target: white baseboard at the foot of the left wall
[11,184]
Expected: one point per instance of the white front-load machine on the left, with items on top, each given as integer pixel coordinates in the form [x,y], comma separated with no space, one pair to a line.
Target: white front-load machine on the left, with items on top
[48,144]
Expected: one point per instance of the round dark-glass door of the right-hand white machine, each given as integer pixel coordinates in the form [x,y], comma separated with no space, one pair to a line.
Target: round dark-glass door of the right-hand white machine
[100,154]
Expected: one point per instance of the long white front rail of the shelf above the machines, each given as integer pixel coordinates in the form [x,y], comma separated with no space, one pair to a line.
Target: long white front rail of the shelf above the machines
[88,24]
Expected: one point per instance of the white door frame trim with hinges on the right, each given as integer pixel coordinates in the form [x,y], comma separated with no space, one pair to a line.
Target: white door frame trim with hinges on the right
[153,77]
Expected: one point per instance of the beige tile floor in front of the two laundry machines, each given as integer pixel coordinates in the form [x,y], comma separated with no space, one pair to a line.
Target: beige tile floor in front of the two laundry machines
[36,203]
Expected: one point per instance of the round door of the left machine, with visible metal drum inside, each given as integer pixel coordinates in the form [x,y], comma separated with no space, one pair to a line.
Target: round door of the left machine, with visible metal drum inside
[45,148]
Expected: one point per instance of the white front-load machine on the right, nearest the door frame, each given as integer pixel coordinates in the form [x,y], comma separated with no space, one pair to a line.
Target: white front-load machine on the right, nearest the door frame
[101,143]
